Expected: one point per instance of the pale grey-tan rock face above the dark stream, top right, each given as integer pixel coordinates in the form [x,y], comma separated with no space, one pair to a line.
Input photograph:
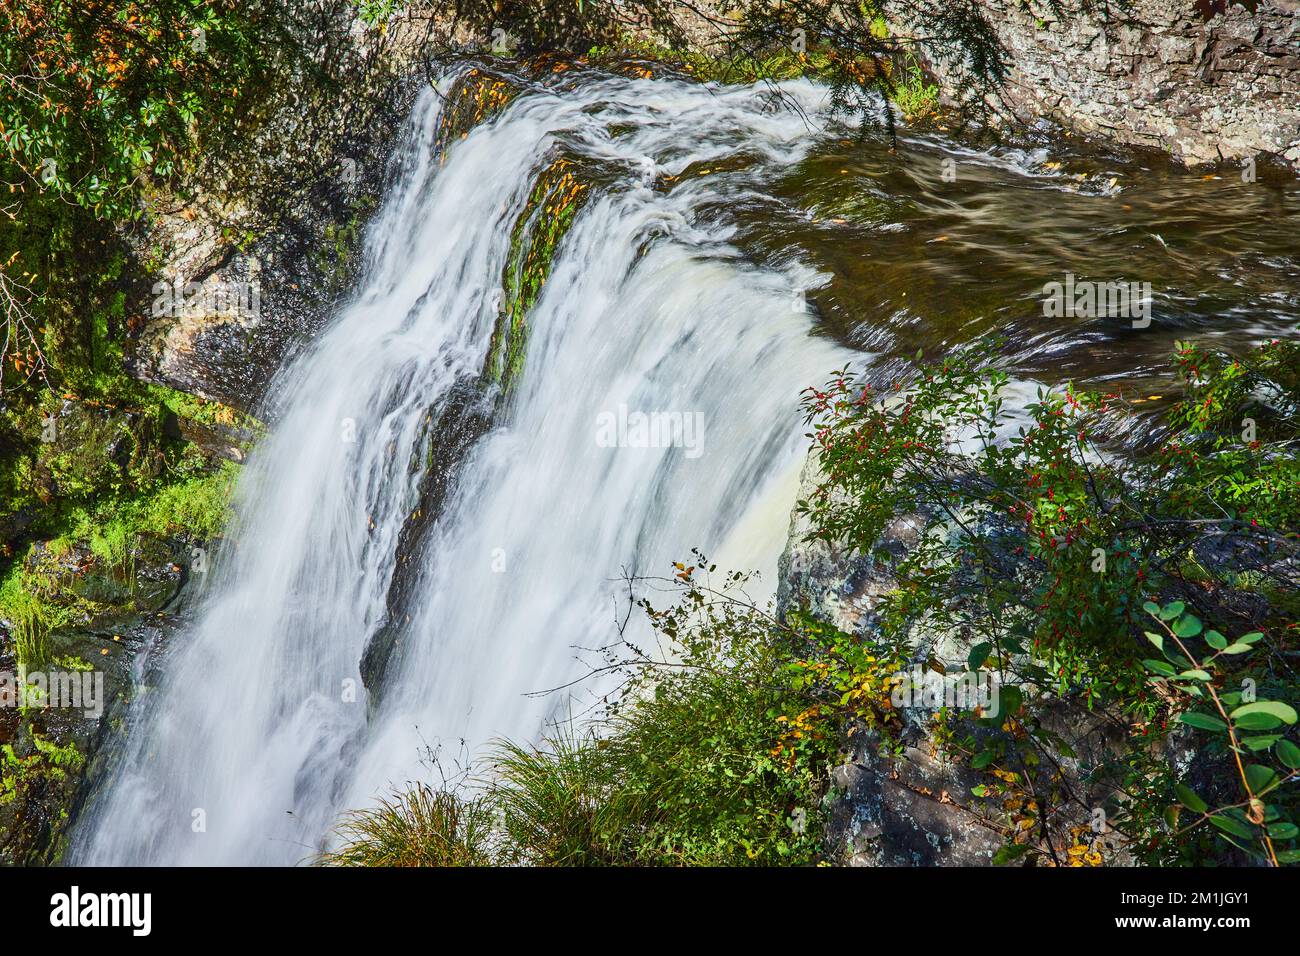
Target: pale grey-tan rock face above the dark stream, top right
[1203,80]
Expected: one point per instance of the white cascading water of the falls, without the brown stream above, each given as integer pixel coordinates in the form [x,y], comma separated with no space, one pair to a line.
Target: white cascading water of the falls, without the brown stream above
[647,308]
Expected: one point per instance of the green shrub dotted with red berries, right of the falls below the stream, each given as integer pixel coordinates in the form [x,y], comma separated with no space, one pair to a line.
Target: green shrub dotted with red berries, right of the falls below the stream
[1041,547]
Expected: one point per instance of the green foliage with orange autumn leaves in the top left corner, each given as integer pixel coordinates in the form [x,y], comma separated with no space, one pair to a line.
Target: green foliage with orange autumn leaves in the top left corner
[107,96]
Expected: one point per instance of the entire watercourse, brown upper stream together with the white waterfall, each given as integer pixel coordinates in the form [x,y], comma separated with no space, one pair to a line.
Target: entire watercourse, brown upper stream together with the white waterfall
[730,252]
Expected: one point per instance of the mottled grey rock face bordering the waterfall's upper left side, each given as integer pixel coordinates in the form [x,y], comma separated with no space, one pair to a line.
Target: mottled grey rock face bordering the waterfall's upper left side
[250,265]
